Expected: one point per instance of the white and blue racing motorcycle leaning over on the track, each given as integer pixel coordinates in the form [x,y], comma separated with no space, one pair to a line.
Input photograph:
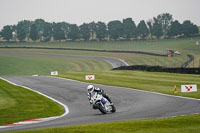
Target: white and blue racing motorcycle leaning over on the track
[101,103]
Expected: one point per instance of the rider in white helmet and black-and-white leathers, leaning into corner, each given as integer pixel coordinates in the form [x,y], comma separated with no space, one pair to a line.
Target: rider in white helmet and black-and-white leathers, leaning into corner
[91,89]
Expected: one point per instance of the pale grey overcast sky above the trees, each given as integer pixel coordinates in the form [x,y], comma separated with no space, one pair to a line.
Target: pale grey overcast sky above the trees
[80,11]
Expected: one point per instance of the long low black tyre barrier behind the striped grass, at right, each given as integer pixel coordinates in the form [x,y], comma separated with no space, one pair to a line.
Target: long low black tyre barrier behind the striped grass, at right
[160,69]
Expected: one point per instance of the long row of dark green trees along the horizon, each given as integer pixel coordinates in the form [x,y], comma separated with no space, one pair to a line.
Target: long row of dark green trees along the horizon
[161,27]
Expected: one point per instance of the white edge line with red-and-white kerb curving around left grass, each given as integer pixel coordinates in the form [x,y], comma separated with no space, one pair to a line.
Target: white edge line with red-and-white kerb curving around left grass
[40,119]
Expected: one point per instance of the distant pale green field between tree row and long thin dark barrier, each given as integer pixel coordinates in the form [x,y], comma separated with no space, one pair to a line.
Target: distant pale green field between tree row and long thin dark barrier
[154,46]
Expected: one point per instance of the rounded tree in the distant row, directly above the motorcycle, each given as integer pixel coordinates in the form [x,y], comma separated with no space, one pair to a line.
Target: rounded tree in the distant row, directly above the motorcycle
[101,30]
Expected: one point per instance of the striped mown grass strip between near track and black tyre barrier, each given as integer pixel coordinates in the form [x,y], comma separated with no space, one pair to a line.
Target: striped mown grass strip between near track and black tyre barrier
[149,81]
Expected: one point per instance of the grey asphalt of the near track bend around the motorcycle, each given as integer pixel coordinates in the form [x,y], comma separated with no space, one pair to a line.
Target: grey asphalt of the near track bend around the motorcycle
[131,104]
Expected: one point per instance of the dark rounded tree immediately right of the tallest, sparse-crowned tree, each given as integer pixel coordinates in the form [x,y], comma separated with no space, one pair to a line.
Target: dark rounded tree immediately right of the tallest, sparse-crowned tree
[175,29]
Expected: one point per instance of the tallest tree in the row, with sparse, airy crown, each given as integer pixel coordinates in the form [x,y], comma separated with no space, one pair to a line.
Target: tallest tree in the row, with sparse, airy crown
[165,20]
